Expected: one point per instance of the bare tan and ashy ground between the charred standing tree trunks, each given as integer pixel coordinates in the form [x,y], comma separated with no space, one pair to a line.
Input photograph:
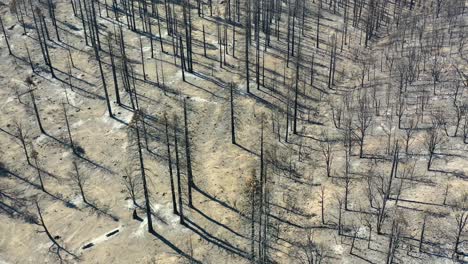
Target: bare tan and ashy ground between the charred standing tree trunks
[218,228]
